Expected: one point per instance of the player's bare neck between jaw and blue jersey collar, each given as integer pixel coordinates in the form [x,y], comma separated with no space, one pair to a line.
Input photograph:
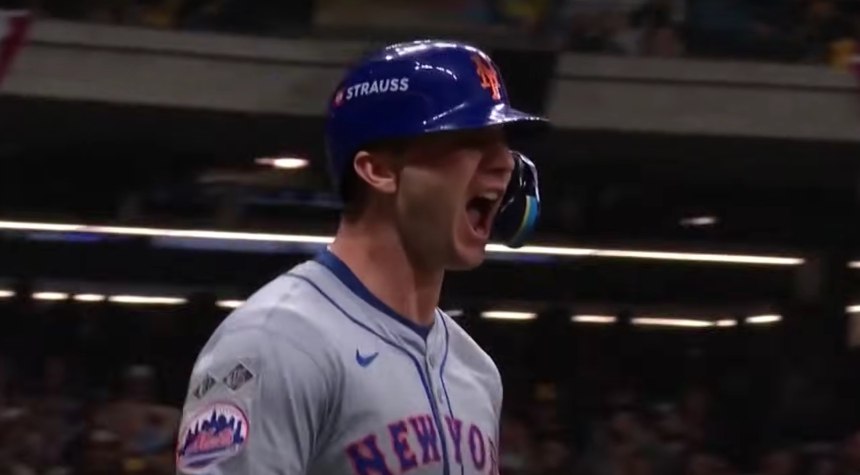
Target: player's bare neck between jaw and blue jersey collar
[376,255]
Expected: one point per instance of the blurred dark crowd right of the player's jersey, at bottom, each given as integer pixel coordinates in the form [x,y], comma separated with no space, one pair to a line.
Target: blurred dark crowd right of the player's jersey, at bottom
[694,435]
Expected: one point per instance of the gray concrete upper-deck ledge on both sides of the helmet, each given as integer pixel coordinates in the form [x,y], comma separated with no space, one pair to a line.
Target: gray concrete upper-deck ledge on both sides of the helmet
[295,77]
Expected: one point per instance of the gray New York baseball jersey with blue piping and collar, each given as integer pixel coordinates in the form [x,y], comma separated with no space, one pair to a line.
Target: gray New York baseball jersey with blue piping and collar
[316,376]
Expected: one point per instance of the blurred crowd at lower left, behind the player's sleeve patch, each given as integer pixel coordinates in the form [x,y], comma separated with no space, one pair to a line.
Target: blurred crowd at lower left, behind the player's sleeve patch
[59,427]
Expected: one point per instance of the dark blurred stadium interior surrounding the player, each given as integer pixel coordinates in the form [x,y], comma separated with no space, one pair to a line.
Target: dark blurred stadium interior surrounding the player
[690,309]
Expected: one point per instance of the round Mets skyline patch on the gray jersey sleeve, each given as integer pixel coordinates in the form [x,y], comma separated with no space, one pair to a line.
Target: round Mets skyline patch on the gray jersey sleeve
[215,433]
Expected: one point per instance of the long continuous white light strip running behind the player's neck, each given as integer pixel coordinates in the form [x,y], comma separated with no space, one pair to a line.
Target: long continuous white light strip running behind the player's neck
[549,251]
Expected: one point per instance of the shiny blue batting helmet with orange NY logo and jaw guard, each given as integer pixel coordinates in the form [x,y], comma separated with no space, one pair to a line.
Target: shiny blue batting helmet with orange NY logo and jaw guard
[423,87]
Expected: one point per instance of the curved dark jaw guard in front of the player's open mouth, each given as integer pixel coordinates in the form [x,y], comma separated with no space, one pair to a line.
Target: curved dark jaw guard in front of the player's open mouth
[520,208]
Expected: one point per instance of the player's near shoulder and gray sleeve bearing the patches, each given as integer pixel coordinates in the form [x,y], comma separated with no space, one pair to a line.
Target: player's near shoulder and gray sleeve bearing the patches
[271,373]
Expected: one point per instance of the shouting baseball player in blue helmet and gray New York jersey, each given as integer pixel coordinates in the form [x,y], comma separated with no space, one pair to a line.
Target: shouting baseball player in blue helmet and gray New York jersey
[344,365]
